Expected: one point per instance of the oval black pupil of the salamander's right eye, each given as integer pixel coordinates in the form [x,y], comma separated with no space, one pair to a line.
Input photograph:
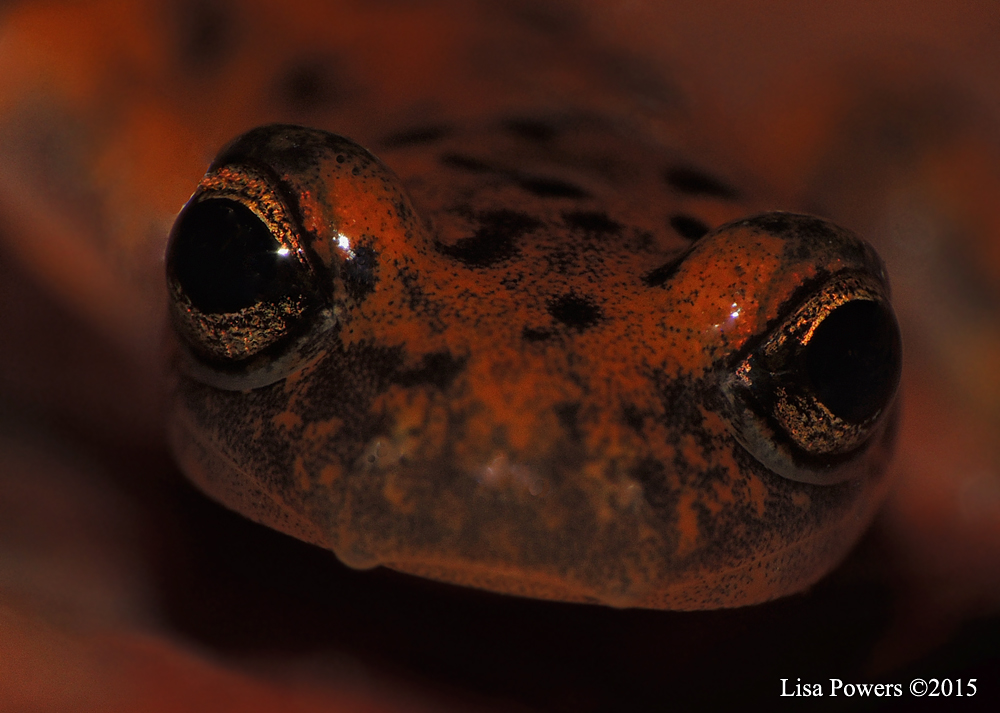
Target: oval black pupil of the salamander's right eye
[853,360]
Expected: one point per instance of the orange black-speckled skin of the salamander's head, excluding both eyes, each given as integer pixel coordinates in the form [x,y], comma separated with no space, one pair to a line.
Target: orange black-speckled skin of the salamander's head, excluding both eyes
[521,391]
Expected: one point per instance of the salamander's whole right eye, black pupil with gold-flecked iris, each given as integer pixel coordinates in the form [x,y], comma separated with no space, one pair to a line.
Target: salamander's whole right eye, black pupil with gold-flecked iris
[819,385]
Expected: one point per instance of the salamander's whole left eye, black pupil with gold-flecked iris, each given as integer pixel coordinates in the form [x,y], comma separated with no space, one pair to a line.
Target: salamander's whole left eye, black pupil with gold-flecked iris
[242,292]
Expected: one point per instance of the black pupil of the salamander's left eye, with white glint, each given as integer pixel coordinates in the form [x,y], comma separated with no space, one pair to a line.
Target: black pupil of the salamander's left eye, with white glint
[225,258]
